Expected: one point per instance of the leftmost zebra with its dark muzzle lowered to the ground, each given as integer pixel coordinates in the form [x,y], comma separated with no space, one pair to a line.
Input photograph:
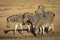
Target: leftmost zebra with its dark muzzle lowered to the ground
[20,20]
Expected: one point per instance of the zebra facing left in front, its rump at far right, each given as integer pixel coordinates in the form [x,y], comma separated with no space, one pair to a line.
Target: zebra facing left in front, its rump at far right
[41,22]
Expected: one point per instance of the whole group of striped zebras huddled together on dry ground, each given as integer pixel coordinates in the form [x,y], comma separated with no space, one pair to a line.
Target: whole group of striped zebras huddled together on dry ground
[36,23]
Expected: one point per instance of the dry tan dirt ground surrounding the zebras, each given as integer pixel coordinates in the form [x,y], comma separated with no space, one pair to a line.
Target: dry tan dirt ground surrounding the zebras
[14,7]
